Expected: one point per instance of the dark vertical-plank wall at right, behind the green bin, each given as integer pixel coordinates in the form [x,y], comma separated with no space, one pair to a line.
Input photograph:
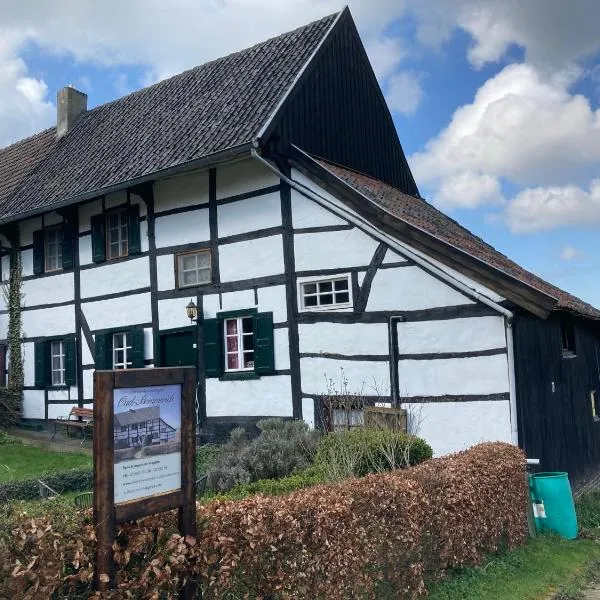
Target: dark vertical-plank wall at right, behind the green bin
[557,426]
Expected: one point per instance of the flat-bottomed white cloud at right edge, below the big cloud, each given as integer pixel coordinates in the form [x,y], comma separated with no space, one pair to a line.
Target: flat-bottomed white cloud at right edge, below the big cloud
[544,208]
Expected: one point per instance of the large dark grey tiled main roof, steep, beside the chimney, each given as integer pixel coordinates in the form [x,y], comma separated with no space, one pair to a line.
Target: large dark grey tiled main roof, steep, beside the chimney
[216,106]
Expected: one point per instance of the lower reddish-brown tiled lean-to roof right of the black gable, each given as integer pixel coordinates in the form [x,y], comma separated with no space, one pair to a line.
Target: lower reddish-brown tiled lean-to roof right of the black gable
[421,214]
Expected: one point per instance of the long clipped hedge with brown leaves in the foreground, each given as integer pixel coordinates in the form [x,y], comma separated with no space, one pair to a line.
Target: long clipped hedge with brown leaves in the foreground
[335,541]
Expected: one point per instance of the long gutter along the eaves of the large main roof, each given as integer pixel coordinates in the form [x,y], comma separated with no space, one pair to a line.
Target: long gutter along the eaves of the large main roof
[190,165]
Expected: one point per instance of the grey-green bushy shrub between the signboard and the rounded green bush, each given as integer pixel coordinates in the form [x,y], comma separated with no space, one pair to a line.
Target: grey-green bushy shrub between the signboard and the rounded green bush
[282,447]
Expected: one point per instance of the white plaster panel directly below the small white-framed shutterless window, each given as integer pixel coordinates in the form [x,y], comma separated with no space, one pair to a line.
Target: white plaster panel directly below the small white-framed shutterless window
[340,338]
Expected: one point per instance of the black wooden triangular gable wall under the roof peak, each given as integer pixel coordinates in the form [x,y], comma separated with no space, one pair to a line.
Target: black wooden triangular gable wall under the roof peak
[339,113]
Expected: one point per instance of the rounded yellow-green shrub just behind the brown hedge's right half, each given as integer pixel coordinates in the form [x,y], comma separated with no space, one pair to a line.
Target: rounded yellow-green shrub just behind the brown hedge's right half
[358,452]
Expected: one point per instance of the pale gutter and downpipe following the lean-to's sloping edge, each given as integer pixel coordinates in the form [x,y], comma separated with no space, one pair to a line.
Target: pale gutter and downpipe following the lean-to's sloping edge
[341,211]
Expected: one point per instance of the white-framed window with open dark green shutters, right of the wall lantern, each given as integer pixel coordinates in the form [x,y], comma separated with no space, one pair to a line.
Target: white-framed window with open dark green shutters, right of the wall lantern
[239,345]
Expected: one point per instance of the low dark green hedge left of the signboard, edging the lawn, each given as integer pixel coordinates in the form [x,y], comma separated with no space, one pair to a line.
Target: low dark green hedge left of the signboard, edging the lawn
[70,480]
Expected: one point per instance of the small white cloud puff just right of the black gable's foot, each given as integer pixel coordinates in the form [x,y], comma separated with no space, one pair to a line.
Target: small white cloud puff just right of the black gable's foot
[468,190]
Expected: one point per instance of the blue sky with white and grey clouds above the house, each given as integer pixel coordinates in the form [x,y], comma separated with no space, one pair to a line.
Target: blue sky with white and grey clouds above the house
[496,103]
